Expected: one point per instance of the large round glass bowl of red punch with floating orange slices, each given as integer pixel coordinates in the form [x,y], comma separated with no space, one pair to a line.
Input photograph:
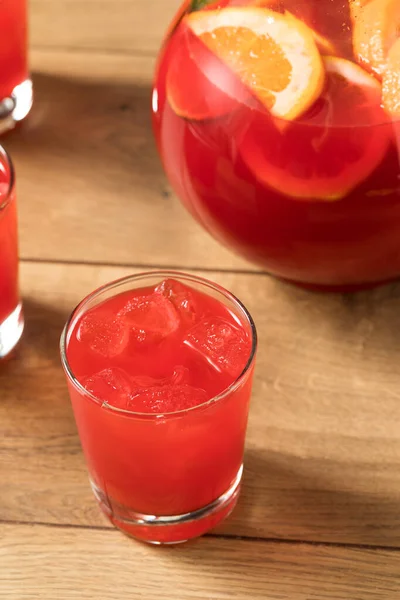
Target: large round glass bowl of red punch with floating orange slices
[278,125]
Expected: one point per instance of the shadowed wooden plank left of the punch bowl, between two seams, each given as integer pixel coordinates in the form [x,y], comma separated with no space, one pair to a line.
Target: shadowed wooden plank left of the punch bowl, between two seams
[86,163]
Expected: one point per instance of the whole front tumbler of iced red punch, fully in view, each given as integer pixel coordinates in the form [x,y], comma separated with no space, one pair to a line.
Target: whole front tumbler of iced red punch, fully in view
[159,368]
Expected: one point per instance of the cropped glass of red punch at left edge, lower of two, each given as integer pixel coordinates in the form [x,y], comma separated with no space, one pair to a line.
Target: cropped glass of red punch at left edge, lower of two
[11,319]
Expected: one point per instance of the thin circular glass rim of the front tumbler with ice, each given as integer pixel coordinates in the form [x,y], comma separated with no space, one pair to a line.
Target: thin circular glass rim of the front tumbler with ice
[164,274]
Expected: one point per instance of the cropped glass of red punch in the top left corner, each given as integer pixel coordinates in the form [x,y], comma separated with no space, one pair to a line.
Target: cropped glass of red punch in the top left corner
[15,85]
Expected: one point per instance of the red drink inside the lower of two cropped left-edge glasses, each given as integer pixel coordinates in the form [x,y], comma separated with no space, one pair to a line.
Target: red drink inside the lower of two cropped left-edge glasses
[8,250]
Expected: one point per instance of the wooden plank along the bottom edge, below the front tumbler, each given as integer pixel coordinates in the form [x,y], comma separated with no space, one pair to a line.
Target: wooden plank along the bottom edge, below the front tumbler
[44,563]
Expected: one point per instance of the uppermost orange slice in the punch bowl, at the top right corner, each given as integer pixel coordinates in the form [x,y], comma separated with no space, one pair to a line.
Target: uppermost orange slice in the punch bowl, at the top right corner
[376,28]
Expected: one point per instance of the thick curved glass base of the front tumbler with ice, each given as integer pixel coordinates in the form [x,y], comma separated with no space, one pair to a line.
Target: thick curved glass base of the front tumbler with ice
[174,529]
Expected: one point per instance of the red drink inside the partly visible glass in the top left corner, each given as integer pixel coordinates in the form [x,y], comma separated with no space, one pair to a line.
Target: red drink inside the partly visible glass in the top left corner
[13,45]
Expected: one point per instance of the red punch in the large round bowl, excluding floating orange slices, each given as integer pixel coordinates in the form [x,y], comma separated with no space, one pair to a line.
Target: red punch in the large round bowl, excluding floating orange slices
[248,178]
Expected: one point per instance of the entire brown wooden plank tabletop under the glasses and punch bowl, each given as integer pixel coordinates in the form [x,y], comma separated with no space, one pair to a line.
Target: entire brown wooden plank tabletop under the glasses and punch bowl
[319,515]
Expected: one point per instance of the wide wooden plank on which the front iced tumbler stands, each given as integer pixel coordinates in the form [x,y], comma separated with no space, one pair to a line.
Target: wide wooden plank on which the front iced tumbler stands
[323,447]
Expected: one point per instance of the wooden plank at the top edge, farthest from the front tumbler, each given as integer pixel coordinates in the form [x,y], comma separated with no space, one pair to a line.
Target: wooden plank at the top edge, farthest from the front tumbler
[124,25]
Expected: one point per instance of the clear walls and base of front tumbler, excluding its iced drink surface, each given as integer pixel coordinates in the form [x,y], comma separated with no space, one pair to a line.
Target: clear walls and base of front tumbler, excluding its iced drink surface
[163,478]
